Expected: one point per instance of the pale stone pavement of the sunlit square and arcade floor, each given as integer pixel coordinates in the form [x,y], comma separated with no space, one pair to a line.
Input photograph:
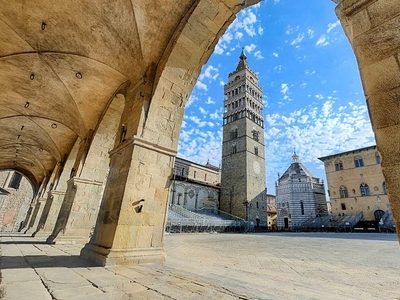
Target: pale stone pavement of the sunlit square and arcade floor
[212,266]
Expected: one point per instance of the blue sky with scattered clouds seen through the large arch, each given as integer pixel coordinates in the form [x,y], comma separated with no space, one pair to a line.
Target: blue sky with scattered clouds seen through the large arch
[313,97]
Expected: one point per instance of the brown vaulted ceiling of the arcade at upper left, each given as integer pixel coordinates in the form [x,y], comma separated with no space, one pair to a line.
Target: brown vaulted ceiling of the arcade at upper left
[60,64]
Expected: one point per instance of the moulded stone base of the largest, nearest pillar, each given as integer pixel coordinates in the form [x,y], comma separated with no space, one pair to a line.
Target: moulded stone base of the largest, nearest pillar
[122,257]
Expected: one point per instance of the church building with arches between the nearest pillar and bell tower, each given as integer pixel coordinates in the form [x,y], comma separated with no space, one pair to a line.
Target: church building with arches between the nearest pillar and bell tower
[195,186]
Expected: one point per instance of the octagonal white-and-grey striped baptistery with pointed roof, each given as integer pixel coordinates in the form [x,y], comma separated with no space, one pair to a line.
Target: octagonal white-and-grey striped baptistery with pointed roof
[300,196]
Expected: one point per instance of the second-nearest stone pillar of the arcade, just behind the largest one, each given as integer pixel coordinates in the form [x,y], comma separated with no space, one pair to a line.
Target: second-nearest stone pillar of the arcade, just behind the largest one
[77,215]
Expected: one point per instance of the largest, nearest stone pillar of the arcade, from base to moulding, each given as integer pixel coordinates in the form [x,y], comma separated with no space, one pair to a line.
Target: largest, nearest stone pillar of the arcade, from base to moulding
[130,224]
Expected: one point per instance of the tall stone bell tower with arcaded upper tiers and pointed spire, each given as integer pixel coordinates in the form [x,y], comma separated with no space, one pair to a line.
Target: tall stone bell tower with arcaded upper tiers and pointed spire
[243,152]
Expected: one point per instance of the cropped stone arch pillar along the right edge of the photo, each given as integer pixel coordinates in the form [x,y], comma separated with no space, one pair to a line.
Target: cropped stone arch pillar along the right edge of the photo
[372,28]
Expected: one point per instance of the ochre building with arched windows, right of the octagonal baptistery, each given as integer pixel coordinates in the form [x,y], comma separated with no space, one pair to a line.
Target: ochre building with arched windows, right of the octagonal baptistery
[356,183]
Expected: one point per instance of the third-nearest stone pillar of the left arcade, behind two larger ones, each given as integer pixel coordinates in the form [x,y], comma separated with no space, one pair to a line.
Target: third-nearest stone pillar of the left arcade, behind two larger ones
[50,213]
